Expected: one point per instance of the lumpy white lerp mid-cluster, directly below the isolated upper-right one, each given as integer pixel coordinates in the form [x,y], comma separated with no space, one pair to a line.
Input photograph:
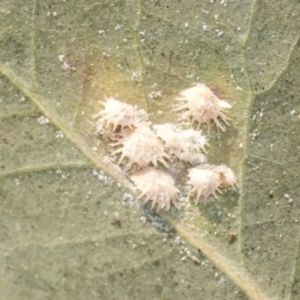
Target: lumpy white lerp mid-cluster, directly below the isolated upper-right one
[184,144]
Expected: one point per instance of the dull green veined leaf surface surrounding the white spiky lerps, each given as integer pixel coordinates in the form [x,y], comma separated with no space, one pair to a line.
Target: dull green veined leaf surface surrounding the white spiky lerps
[71,226]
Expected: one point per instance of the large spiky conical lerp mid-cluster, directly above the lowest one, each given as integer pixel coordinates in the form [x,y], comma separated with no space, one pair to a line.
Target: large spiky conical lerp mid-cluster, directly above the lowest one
[142,147]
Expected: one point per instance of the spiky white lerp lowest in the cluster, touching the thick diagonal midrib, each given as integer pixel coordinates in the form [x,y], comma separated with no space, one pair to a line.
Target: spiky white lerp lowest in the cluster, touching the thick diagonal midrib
[157,186]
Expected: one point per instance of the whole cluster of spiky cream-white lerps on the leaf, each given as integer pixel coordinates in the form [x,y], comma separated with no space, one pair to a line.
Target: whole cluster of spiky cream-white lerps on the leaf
[147,146]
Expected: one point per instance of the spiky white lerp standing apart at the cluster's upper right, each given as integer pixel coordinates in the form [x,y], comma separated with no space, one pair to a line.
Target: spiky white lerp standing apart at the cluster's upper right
[203,106]
